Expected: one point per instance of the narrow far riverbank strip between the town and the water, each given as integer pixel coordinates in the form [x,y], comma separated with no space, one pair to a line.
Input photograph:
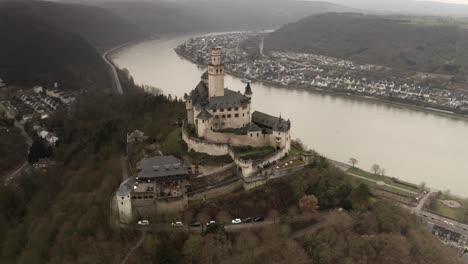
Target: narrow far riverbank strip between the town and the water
[432,110]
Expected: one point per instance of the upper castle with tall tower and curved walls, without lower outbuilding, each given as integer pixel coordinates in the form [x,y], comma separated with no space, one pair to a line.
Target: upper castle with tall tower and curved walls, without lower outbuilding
[222,118]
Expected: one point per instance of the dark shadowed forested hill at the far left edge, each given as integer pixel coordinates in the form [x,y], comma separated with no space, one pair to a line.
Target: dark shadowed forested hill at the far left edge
[34,52]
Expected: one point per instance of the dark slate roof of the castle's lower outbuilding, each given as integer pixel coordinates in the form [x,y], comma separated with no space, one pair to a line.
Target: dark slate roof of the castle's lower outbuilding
[160,166]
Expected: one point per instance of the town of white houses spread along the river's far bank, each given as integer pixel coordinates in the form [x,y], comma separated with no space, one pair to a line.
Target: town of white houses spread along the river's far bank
[324,73]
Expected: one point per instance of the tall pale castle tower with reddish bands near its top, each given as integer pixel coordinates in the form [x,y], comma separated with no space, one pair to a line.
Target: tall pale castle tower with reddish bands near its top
[215,74]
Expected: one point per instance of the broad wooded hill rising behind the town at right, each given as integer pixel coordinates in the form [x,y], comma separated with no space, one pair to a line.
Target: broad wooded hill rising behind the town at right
[435,46]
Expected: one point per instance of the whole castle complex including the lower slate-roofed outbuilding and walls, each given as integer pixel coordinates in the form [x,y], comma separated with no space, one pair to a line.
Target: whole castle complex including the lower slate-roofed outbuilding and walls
[218,119]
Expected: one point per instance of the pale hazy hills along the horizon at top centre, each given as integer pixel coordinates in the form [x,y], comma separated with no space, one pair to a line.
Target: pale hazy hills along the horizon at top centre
[163,17]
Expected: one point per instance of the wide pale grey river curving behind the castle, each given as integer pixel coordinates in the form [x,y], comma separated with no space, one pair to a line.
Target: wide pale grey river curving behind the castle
[411,145]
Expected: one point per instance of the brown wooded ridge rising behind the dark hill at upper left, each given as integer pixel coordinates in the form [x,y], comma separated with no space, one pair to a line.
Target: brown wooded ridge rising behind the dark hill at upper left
[101,28]
